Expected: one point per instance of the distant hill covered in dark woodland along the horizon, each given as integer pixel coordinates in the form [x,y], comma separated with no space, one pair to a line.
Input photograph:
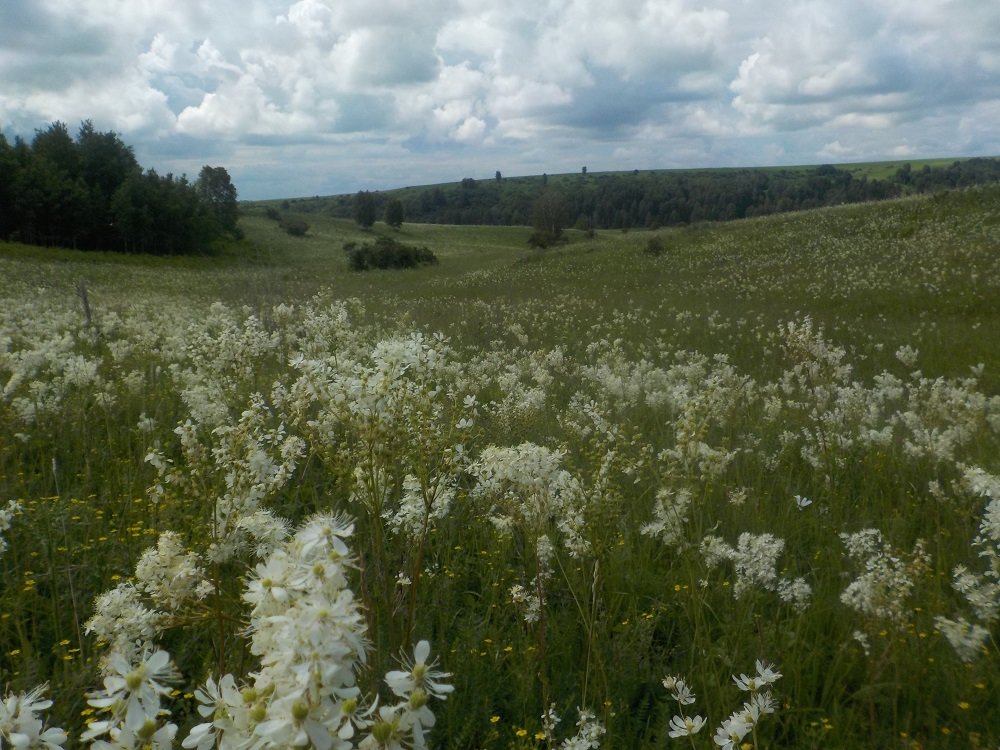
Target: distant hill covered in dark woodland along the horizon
[650,199]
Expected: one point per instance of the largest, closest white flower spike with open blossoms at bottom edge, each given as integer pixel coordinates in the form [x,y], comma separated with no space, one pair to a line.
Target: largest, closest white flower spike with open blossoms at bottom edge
[309,633]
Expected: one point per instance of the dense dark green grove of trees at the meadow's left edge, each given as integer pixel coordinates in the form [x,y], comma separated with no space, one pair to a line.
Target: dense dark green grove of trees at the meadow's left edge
[90,193]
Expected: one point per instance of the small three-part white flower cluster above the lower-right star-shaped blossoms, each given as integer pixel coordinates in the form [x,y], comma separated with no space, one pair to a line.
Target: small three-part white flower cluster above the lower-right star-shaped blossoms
[755,560]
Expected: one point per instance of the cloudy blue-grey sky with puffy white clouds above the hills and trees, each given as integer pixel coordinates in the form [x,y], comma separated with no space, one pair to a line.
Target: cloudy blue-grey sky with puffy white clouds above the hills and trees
[317,97]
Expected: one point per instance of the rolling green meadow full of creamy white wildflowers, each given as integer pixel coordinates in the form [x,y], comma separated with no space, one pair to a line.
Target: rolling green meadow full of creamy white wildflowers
[741,493]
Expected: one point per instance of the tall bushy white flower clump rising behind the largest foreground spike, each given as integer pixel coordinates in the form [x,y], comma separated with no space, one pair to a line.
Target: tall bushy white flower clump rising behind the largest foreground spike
[385,414]
